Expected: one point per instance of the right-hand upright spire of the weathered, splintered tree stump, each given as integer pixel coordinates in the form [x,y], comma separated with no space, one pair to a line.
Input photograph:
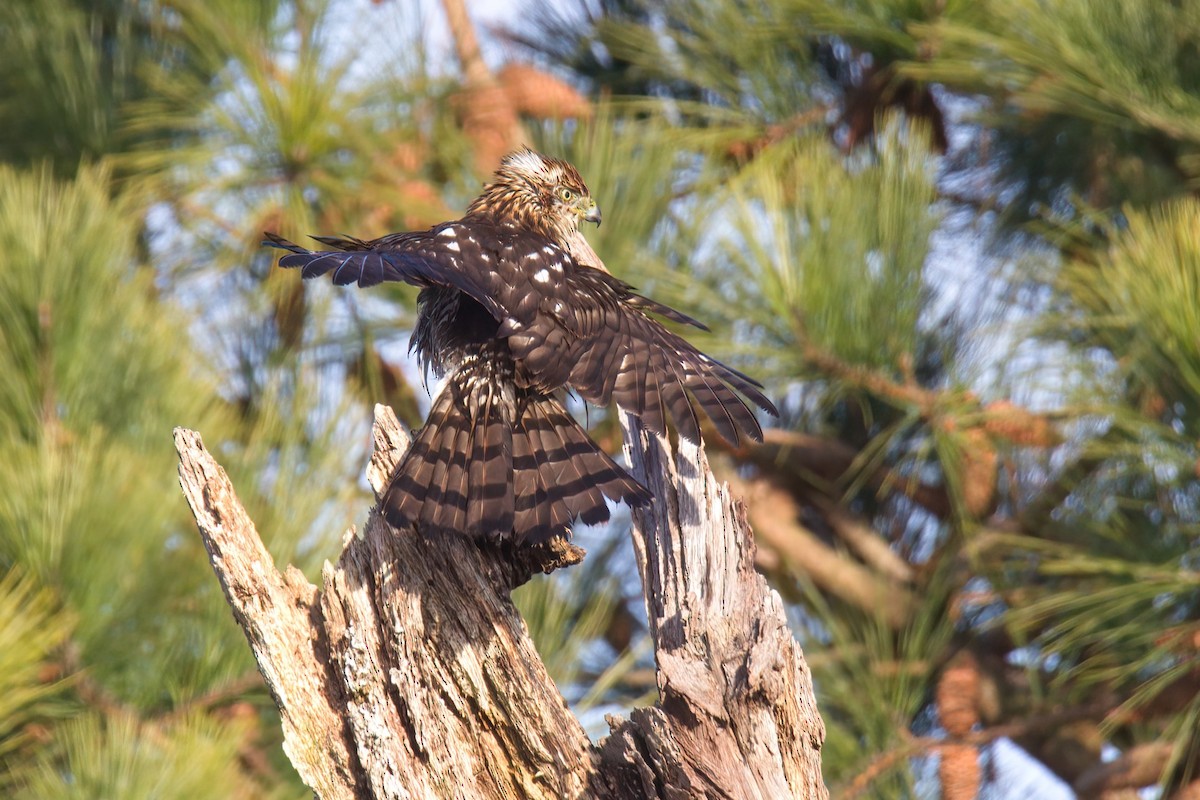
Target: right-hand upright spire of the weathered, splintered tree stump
[737,717]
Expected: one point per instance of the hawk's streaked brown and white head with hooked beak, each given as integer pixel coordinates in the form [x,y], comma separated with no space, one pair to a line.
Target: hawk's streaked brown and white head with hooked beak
[538,193]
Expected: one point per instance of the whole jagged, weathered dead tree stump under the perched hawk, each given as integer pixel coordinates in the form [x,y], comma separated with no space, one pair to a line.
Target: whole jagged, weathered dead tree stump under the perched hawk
[411,675]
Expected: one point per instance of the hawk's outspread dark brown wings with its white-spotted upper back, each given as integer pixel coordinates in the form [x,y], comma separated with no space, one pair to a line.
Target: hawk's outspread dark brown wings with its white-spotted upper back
[567,324]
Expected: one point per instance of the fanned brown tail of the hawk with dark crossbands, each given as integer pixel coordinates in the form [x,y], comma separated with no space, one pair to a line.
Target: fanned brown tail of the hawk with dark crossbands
[496,462]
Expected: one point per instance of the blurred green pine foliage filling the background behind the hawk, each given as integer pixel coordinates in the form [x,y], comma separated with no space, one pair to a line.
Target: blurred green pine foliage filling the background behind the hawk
[957,239]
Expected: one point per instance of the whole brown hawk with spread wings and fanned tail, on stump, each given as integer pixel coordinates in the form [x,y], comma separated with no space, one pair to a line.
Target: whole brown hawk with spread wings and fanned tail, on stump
[514,320]
